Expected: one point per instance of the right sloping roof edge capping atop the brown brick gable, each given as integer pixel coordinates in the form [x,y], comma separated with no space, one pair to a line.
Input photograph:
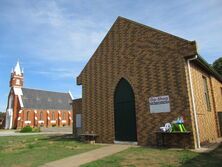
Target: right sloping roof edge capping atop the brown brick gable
[146,26]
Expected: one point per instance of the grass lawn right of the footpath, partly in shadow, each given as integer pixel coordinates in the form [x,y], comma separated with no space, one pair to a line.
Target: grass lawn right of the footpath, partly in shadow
[149,157]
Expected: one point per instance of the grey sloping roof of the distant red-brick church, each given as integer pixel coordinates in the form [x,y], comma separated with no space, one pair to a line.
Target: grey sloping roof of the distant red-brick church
[41,99]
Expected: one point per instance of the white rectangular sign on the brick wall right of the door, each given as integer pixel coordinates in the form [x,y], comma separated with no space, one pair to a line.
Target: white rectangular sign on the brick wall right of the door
[159,104]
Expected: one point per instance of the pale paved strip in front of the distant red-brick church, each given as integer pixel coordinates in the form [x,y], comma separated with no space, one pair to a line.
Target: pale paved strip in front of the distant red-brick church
[14,133]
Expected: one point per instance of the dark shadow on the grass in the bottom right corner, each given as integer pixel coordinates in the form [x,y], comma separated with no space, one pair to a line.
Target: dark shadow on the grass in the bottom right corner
[211,159]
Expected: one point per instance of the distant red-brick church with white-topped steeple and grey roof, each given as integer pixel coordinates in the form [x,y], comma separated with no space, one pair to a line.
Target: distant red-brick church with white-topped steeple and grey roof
[36,107]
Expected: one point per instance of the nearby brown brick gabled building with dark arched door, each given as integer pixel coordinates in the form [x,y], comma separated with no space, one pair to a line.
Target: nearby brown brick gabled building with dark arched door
[140,78]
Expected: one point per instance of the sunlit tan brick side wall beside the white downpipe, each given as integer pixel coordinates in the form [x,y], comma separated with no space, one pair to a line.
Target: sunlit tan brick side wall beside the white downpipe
[206,118]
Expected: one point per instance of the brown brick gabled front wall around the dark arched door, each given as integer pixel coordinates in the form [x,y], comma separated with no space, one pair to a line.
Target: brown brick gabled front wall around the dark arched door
[153,63]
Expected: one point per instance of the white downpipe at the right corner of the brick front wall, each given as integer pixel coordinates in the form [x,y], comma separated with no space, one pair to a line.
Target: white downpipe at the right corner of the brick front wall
[197,145]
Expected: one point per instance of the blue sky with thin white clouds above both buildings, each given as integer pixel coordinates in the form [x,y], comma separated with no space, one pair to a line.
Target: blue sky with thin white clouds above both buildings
[54,39]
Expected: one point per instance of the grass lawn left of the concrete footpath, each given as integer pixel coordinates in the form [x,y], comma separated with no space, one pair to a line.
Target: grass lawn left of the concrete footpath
[34,150]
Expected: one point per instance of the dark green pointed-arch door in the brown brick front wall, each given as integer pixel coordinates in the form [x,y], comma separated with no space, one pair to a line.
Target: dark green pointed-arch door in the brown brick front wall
[124,112]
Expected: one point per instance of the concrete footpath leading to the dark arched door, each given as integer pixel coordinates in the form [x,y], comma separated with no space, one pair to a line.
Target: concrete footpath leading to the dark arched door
[77,160]
